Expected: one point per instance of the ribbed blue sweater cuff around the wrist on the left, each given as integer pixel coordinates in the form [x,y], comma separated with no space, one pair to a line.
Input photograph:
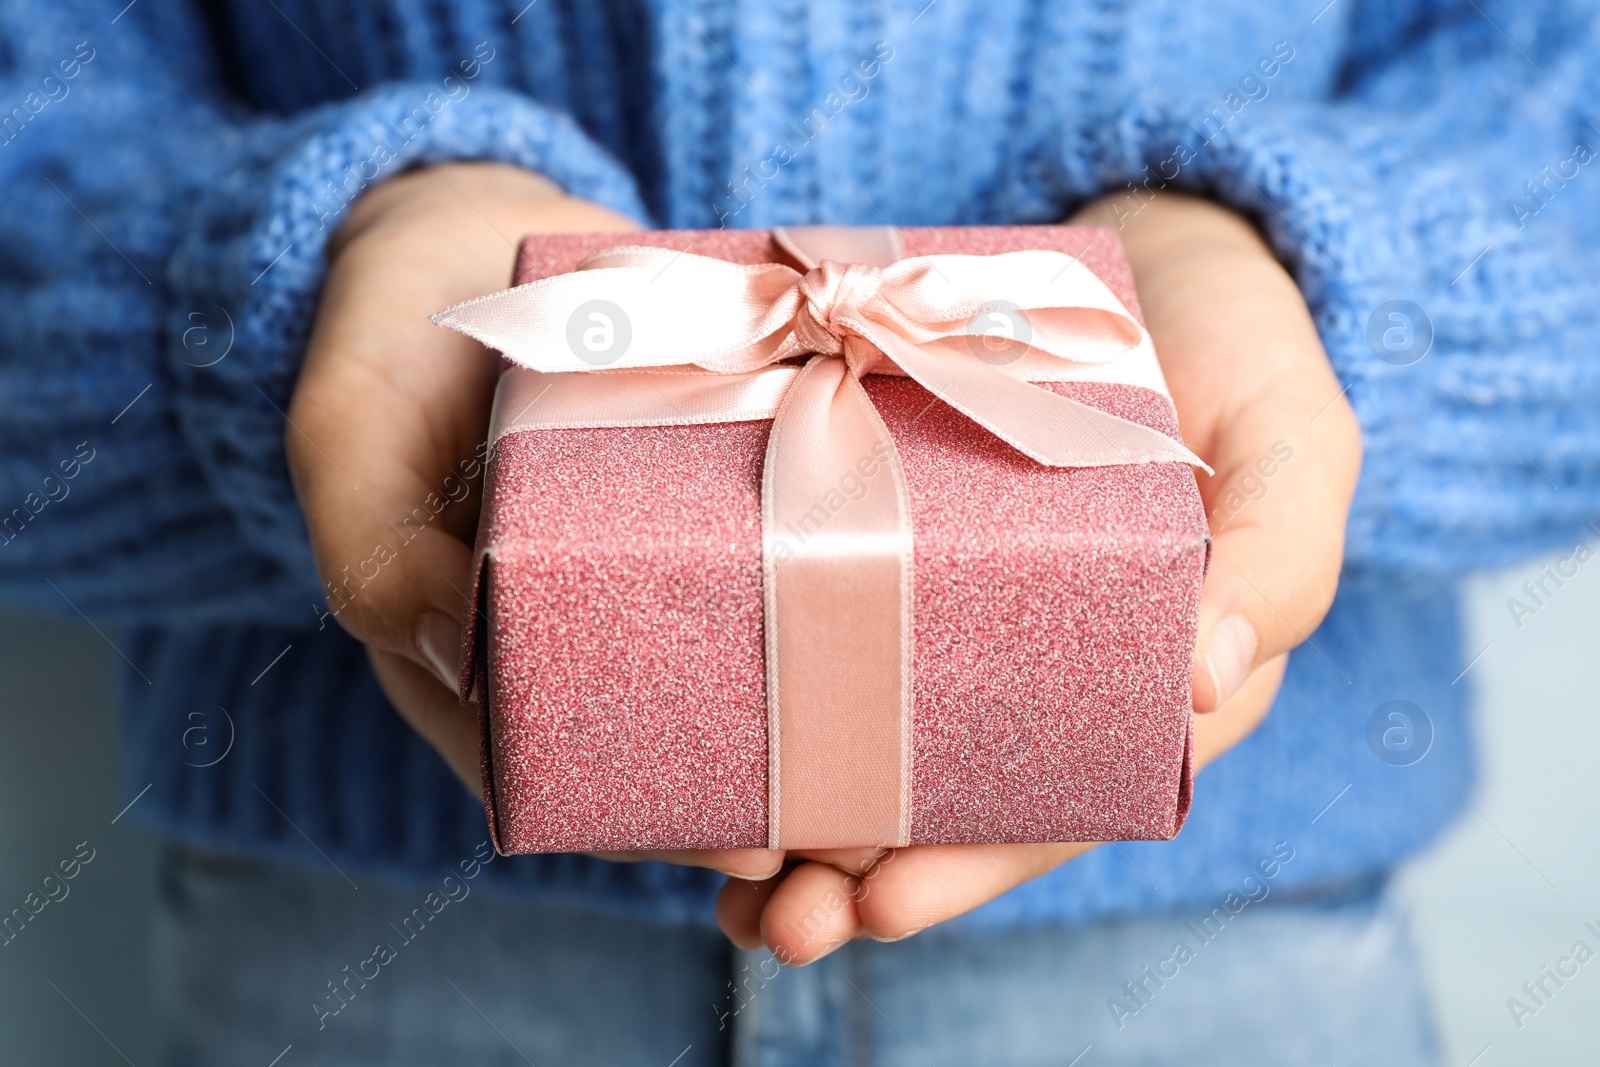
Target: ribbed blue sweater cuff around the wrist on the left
[252,266]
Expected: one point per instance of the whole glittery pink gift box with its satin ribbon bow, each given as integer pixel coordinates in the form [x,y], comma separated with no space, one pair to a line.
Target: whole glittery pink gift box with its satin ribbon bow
[1028,679]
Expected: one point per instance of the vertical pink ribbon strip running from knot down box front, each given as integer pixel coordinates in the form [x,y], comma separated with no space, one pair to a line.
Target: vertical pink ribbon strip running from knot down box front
[838,554]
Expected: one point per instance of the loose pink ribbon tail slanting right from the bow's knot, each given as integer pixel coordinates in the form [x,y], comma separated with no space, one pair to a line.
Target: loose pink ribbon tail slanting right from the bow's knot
[1054,430]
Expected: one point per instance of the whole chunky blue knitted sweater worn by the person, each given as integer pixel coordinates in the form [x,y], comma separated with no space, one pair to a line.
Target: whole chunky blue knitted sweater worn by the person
[172,172]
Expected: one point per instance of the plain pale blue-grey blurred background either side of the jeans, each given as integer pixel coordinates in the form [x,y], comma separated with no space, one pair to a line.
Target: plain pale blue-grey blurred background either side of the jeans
[1503,895]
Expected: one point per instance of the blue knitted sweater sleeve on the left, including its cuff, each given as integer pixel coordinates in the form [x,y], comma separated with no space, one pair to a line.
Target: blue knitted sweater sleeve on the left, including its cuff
[161,258]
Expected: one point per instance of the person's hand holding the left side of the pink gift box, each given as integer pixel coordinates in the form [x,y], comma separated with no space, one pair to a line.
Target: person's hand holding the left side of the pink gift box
[388,420]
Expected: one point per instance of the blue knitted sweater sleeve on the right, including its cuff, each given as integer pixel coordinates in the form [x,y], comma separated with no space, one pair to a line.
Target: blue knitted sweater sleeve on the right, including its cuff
[1441,209]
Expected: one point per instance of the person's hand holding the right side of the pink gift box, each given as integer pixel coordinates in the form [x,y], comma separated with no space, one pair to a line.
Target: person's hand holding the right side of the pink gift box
[1258,402]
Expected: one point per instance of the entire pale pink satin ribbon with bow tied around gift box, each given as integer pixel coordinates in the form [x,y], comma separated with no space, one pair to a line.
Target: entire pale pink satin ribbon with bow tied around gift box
[711,342]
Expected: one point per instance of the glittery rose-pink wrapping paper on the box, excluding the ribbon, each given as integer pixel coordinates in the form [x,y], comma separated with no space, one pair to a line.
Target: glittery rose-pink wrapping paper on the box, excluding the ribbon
[618,642]
